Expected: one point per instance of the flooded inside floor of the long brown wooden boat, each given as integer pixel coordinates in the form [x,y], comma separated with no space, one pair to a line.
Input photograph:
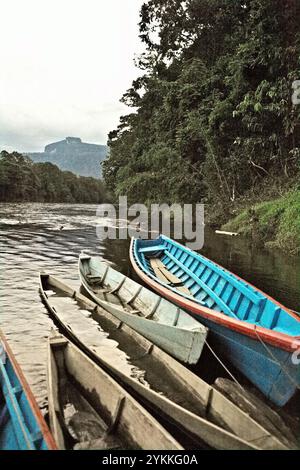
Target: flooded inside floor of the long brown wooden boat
[103,336]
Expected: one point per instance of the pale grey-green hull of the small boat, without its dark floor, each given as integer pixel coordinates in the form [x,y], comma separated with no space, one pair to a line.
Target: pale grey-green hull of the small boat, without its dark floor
[172,329]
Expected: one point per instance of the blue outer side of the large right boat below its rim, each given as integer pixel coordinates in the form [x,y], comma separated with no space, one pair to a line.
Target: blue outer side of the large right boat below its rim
[251,358]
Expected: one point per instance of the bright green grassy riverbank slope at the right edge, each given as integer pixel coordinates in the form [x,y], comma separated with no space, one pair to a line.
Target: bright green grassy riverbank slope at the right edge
[273,223]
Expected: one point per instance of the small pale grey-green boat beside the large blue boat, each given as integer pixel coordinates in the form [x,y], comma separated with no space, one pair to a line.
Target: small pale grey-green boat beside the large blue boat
[162,322]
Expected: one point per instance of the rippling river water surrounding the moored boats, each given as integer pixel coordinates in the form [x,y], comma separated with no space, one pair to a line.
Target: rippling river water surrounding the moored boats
[49,237]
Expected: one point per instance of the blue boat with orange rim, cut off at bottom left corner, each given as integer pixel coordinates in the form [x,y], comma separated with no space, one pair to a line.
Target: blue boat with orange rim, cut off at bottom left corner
[22,426]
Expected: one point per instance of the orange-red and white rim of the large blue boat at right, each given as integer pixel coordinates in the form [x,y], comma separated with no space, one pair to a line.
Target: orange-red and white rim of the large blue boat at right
[282,340]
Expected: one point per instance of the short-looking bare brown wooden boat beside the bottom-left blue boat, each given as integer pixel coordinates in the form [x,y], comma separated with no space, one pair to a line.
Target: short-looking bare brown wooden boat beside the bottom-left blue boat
[89,410]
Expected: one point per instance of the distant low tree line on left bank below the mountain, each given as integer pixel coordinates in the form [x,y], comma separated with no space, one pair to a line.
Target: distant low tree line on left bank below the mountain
[23,180]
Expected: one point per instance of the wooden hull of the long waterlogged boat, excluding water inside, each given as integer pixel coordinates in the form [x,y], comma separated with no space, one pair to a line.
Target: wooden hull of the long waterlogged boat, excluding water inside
[186,387]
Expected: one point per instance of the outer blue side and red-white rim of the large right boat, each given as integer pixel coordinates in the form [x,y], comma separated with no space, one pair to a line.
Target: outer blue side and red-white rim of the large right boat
[267,358]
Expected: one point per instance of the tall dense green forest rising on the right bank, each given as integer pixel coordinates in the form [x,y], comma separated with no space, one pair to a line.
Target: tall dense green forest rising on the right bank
[212,114]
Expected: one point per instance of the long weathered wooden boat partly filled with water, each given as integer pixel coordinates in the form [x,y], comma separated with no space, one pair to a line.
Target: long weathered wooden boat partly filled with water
[155,378]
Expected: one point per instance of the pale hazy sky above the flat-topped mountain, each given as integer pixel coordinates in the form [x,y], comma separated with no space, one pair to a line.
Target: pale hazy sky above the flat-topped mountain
[64,65]
